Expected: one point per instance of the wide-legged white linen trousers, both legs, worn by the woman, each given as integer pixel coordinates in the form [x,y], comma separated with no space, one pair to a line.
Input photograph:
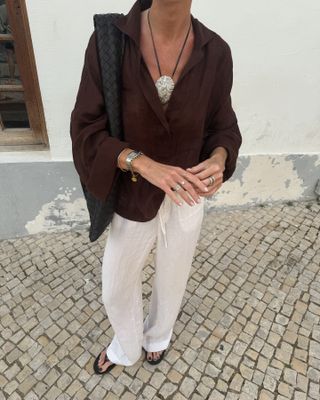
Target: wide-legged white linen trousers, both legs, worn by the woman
[176,229]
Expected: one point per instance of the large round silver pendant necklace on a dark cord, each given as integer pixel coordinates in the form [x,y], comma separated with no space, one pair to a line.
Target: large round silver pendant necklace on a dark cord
[165,83]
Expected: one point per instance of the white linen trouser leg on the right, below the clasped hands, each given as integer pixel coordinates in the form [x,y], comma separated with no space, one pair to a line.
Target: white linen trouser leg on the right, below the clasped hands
[172,268]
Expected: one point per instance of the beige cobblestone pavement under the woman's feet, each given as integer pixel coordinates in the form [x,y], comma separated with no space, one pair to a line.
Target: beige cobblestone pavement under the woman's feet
[248,327]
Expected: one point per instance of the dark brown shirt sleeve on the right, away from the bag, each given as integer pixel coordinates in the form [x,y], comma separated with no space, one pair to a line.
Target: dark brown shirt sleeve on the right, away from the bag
[223,129]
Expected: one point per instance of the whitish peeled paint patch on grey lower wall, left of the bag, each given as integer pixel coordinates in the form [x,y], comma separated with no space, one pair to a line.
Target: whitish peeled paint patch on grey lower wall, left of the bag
[59,214]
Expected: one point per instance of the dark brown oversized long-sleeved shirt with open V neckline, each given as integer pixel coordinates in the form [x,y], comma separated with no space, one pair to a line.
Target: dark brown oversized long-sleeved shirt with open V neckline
[199,117]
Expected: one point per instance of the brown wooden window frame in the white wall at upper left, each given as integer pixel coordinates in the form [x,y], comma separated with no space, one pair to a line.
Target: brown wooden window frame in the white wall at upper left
[35,137]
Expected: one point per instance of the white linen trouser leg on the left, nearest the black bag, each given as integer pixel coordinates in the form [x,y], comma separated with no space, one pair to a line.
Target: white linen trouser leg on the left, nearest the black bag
[127,247]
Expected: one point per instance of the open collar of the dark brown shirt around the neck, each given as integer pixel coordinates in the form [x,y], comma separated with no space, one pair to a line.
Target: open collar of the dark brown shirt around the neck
[130,25]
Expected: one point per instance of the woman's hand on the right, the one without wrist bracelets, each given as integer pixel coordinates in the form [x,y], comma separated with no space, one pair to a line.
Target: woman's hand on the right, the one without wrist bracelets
[213,166]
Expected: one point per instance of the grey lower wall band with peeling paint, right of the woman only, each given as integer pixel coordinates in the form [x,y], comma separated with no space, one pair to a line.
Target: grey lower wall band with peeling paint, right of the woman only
[264,178]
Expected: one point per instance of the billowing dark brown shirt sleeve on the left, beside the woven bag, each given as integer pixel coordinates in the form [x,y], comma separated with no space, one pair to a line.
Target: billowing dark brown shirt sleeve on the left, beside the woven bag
[94,151]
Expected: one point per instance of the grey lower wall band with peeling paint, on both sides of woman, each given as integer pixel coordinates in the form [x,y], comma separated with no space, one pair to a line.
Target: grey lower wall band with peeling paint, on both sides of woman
[32,203]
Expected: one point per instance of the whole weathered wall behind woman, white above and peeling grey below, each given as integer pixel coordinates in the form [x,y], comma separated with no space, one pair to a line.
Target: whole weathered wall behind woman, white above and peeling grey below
[276,96]
